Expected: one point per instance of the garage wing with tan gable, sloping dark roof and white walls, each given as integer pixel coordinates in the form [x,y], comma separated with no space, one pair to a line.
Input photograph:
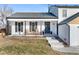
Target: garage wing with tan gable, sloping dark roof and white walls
[69,29]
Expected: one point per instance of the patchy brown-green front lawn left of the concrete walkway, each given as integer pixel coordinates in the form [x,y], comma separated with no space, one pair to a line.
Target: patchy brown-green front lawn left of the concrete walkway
[26,47]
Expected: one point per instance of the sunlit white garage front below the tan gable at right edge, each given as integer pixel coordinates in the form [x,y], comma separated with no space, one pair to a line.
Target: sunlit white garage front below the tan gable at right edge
[74,34]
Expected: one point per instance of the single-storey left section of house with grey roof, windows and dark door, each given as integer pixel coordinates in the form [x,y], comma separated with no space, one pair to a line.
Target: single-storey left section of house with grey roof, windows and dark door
[22,23]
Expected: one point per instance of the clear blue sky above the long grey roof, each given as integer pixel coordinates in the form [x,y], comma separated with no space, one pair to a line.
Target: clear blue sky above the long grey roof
[28,7]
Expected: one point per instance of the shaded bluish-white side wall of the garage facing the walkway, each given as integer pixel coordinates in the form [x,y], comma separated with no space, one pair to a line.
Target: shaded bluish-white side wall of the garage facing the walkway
[63,32]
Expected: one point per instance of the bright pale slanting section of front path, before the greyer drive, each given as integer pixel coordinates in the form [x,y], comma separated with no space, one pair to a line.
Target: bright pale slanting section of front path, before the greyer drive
[55,44]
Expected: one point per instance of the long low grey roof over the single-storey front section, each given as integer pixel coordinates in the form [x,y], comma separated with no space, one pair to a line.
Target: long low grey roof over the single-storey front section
[32,15]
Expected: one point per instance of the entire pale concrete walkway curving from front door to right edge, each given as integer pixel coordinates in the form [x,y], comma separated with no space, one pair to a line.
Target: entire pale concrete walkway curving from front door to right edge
[58,46]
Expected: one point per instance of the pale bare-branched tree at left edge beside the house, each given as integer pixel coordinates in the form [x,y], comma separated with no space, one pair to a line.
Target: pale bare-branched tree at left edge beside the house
[5,11]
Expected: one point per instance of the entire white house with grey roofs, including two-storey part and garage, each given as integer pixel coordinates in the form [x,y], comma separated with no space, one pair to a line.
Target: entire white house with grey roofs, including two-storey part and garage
[61,21]
